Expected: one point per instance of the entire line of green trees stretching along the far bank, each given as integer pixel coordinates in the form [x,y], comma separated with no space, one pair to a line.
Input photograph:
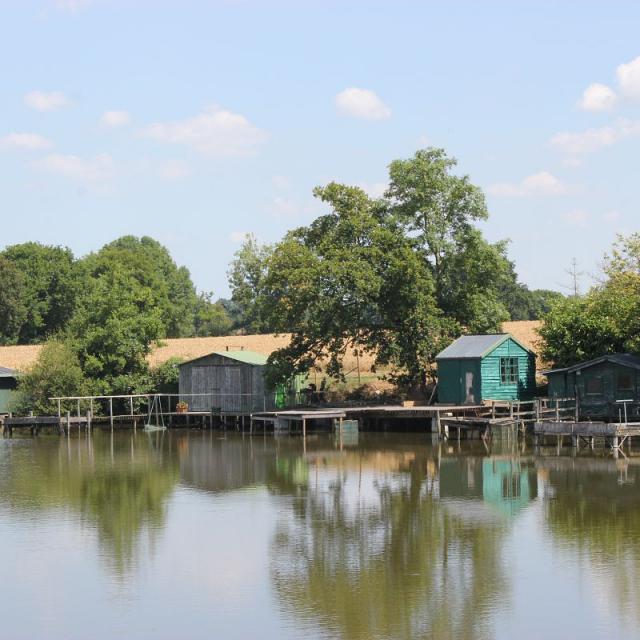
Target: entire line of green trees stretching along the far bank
[397,277]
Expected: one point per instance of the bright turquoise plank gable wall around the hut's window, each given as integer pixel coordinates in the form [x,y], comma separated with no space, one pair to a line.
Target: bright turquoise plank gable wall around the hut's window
[492,386]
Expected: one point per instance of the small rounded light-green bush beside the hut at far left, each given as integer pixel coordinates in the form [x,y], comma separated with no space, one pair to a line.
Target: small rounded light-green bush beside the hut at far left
[57,372]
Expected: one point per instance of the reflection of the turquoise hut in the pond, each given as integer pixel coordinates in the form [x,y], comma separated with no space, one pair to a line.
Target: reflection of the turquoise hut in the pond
[501,485]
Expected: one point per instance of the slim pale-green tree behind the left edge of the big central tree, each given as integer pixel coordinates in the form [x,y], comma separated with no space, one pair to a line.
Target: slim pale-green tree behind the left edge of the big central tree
[246,275]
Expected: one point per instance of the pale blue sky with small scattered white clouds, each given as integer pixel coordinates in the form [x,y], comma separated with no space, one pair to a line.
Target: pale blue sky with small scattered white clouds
[197,122]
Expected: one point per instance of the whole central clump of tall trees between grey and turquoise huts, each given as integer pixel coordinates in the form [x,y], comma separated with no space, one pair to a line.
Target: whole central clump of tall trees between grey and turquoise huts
[397,277]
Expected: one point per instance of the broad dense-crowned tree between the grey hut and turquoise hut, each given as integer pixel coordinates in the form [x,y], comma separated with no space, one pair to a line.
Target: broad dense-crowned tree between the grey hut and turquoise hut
[351,280]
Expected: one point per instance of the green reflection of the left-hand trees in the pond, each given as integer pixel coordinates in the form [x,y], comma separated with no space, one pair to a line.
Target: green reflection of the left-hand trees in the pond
[118,485]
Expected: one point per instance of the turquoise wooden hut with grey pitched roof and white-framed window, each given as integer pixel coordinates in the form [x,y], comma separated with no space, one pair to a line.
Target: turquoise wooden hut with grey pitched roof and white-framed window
[473,369]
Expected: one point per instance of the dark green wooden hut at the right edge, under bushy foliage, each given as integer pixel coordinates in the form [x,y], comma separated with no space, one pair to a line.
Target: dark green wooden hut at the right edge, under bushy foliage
[599,385]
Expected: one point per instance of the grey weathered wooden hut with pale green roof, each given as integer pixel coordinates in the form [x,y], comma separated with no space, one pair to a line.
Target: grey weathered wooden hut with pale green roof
[229,381]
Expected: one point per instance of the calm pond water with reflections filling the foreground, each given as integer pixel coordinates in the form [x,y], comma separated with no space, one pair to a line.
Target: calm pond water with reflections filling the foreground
[201,535]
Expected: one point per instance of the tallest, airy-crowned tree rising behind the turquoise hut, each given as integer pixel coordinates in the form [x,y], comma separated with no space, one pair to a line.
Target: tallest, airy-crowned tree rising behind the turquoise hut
[437,210]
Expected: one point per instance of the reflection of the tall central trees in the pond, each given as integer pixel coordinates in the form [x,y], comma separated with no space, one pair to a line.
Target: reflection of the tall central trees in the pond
[368,550]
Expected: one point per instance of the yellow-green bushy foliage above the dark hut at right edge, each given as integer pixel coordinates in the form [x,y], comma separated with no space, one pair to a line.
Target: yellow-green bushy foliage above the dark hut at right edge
[605,320]
